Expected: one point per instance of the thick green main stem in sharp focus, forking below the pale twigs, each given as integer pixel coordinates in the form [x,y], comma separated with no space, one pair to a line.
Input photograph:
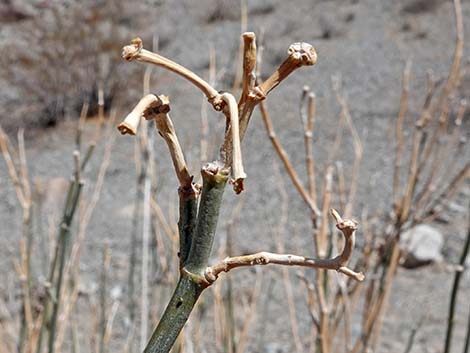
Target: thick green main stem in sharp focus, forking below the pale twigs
[192,281]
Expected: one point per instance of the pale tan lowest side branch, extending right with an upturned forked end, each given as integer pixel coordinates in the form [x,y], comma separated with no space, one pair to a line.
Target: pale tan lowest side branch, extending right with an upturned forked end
[338,263]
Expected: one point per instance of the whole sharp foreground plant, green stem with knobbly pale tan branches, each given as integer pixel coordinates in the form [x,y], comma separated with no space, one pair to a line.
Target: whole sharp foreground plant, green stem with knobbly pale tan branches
[199,205]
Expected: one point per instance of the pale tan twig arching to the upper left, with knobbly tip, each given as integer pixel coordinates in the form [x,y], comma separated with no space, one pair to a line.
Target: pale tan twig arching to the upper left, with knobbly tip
[135,51]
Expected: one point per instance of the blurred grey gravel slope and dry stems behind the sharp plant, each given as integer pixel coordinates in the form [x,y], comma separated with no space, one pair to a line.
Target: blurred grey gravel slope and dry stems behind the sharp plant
[64,87]
